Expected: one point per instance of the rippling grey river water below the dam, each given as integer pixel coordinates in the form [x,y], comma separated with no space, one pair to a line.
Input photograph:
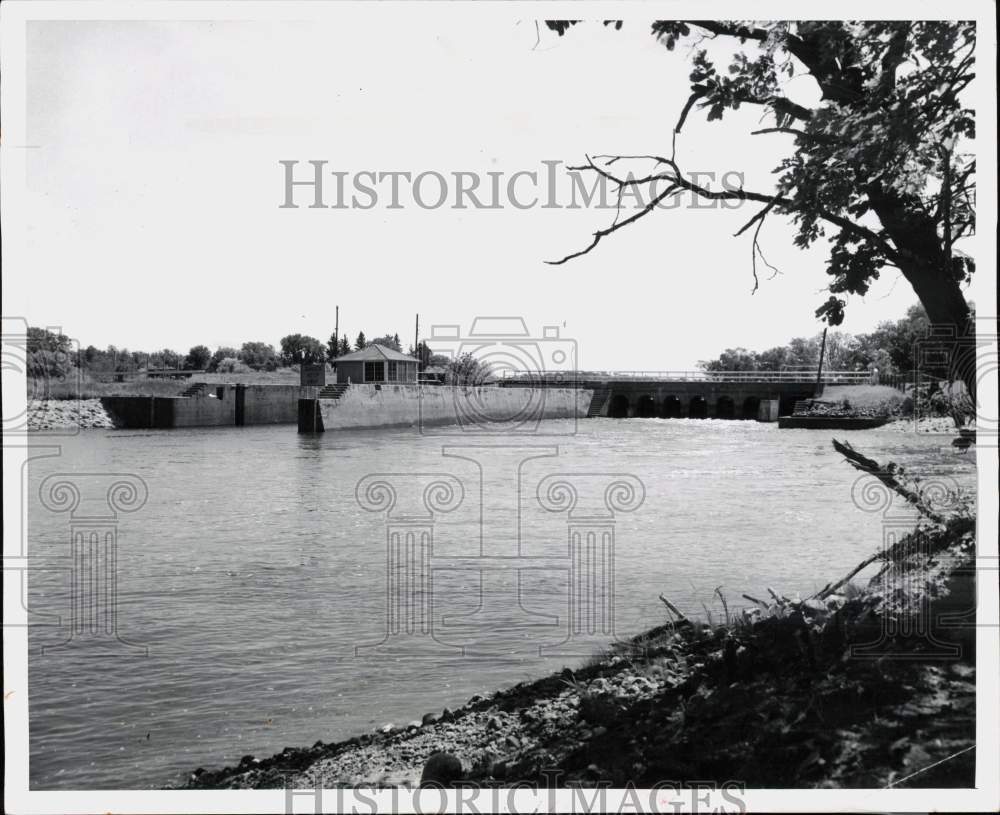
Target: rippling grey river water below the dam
[251,574]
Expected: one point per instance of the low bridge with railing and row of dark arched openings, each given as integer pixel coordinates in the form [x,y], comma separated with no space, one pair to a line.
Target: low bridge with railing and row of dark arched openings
[693,394]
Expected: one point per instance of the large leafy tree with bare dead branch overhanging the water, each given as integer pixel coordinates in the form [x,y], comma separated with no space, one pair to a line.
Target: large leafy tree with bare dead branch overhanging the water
[876,167]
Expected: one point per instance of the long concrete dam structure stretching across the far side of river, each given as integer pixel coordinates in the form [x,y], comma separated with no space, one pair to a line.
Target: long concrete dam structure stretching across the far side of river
[517,402]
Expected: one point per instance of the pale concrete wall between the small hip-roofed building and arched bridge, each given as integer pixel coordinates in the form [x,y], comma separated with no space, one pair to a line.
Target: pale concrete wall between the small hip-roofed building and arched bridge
[430,406]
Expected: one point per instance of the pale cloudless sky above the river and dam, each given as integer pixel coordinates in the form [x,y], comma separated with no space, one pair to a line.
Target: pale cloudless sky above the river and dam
[154,189]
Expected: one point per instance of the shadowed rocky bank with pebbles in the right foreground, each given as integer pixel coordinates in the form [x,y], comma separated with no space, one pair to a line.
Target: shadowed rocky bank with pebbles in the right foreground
[771,696]
